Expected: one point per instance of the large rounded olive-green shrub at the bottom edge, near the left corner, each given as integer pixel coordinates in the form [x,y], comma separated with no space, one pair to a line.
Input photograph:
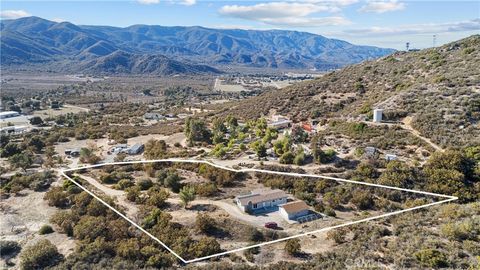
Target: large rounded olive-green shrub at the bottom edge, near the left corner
[39,256]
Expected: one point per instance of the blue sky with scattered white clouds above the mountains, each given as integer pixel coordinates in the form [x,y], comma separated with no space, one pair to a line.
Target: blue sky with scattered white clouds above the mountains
[385,23]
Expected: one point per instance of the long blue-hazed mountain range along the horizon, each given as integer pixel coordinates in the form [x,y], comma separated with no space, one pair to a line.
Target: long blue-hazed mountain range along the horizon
[35,40]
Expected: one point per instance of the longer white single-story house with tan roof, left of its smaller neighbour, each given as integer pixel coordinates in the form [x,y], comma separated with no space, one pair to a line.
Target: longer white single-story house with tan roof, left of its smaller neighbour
[261,199]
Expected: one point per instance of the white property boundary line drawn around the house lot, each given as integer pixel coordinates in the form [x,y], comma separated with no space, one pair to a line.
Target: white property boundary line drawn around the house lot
[447,199]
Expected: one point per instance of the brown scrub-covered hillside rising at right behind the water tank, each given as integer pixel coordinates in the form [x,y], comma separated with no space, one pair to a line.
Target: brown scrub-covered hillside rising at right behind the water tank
[439,88]
